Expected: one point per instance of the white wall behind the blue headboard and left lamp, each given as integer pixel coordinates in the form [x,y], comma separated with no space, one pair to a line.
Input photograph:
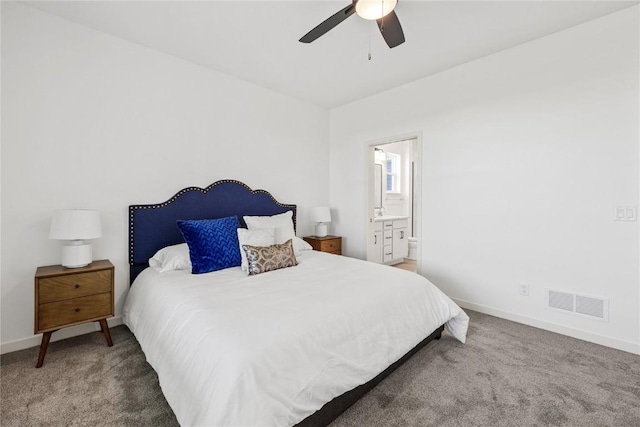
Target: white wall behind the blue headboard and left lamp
[92,121]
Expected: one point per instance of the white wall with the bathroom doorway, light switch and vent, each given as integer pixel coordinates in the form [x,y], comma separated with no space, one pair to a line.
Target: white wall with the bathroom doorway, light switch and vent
[525,154]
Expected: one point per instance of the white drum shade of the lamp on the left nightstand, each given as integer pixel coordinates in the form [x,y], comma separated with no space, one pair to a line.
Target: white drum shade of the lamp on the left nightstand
[75,224]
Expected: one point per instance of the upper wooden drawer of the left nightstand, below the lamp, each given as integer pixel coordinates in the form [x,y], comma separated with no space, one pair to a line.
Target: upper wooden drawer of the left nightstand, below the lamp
[59,288]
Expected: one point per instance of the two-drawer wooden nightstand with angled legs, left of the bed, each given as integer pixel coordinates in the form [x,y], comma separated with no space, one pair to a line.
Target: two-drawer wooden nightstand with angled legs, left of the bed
[71,296]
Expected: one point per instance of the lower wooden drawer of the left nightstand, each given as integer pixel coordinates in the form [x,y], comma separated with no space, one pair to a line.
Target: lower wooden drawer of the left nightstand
[70,311]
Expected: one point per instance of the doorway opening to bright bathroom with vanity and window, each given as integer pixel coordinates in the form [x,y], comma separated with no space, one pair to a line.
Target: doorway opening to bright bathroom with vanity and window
[394,206]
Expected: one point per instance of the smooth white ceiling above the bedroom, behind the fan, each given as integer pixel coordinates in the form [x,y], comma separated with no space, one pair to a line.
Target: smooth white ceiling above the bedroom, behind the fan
[257,41]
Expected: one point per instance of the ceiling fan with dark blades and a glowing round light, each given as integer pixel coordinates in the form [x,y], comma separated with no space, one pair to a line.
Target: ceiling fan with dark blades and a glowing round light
[379,10]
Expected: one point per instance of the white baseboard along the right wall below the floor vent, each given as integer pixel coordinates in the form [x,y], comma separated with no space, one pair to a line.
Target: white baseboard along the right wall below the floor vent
[547,326]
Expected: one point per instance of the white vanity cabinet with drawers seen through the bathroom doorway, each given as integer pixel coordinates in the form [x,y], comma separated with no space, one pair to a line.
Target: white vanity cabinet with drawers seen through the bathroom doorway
[391,239]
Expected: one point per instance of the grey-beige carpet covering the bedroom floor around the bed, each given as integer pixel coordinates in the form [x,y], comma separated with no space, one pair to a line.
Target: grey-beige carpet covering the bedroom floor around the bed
[506,375]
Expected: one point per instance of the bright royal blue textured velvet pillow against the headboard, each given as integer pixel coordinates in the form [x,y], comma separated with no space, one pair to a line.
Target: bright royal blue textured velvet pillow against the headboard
[213,243]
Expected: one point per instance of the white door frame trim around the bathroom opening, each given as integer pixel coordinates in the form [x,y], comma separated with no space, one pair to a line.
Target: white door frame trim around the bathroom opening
[369,199]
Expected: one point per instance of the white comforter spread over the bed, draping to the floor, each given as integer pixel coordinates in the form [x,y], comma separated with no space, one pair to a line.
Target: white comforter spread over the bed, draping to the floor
[271,349]
